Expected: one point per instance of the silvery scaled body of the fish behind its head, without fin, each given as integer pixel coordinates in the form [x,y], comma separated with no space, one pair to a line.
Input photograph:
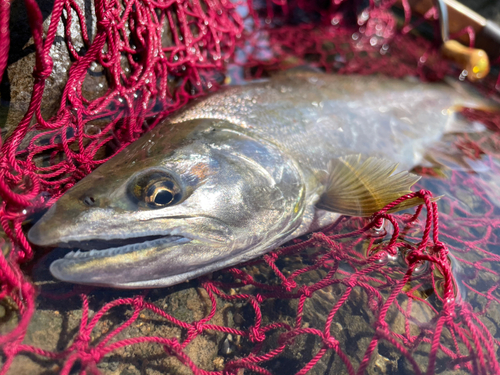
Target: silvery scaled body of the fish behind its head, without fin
[337,115]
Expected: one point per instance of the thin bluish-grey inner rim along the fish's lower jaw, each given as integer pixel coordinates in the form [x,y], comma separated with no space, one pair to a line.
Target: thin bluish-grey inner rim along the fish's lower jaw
[128,248]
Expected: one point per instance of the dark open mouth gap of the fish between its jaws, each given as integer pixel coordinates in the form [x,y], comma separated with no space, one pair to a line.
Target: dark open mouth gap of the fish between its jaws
[112,247]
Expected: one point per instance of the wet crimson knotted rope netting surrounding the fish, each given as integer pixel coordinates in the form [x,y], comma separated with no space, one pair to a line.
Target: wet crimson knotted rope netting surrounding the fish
[353,298]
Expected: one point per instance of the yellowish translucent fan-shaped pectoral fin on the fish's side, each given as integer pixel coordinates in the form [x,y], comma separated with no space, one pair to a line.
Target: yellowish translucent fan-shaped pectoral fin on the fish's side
[357,188]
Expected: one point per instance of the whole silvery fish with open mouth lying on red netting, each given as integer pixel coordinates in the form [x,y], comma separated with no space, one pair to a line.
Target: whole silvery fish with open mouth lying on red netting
[244,170]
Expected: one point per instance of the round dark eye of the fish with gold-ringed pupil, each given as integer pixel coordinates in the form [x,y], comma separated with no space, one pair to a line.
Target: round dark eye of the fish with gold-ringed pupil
[157,190]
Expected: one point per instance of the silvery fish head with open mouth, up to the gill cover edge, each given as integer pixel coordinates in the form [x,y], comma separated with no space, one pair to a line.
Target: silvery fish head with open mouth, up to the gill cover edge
[172,208]
